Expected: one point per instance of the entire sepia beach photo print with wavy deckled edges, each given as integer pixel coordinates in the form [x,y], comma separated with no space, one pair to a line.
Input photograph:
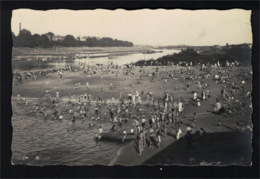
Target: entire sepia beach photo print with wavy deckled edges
[131,87]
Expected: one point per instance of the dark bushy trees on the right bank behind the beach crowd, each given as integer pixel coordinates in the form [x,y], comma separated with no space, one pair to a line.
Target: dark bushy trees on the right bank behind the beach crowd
[240,53]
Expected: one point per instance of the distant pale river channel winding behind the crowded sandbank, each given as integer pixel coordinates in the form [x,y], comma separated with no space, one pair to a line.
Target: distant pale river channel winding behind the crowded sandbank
[60,63]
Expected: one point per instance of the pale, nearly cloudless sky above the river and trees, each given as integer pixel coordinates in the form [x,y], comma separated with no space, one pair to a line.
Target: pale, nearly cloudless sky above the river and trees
[142,27]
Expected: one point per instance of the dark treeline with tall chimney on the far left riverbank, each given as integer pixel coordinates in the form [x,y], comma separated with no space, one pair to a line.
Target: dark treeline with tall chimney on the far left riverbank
[26,39]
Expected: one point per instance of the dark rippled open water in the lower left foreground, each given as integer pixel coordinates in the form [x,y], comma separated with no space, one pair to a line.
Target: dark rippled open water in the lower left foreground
[50,142]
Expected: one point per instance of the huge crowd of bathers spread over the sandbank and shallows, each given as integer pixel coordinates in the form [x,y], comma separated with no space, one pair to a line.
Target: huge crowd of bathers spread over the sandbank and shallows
[139,112]
